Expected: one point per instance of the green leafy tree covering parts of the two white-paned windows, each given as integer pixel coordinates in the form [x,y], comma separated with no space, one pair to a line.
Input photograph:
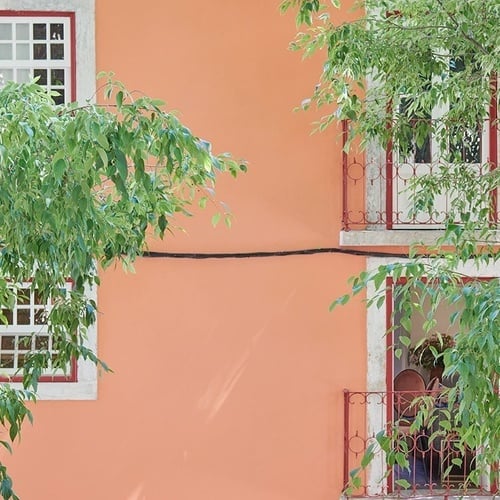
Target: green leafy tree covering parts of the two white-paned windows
[82,186]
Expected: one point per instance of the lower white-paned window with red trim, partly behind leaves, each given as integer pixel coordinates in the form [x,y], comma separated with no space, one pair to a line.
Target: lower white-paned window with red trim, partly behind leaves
[25,329]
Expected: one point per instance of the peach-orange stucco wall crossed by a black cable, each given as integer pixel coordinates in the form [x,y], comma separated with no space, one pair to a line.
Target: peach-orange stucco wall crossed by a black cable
[228,374]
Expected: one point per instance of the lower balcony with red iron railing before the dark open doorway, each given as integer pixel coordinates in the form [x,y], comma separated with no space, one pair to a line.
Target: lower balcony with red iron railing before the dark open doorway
[436,467]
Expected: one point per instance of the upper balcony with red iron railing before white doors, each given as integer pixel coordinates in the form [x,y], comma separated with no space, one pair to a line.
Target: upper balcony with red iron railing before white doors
[376,200]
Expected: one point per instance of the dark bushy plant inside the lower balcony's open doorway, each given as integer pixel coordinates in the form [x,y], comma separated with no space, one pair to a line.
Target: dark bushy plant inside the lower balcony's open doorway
[428,353]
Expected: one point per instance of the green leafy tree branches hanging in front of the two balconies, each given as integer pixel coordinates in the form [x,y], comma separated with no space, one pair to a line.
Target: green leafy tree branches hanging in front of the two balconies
[386,72]
